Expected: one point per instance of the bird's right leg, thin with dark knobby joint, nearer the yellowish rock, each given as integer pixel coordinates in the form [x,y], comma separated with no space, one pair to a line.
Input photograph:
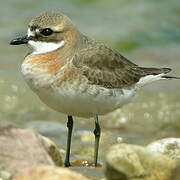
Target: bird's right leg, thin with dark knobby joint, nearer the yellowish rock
[97,133]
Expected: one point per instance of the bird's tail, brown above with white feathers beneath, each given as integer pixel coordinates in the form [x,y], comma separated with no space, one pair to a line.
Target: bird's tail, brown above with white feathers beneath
[153,74]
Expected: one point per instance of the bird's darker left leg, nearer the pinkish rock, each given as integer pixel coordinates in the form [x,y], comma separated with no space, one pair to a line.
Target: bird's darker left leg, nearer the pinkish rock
[70,127]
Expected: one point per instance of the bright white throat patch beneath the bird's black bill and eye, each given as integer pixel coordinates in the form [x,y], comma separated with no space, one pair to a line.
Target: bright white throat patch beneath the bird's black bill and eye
[39,47]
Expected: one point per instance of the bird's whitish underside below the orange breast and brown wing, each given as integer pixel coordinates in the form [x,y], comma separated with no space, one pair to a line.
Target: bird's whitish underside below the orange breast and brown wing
[77,98]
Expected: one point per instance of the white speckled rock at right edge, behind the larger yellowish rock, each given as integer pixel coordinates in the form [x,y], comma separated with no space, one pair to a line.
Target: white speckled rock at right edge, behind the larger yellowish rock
[168,146]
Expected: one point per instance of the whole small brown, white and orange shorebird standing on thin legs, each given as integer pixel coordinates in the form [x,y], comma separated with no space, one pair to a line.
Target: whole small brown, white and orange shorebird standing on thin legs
[78,76]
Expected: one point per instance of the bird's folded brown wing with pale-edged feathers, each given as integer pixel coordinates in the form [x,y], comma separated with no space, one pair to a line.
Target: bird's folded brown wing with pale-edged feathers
[106,67]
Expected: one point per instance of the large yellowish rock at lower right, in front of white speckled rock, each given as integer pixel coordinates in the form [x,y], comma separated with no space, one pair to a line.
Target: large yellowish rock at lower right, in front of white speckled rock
[124,162]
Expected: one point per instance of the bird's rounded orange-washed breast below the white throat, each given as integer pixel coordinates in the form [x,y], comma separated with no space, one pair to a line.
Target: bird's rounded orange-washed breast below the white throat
[39,70]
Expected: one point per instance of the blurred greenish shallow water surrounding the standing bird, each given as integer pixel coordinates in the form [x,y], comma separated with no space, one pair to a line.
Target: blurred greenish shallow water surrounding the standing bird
[145,31]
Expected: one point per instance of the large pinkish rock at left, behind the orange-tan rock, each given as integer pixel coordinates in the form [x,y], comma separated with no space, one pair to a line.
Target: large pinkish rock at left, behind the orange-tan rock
[22,148]
